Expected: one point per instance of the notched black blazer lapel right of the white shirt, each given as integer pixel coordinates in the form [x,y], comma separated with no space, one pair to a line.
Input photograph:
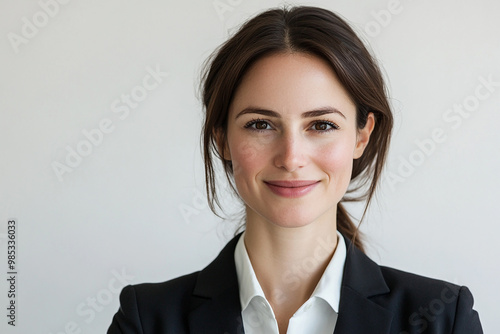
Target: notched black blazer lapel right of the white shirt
[362,280]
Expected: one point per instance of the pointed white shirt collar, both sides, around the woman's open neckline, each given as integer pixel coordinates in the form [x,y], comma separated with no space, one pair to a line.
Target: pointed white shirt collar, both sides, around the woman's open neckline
[328,287]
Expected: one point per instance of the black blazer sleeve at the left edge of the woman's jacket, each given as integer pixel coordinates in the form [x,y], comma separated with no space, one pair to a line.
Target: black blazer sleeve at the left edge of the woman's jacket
[127,320]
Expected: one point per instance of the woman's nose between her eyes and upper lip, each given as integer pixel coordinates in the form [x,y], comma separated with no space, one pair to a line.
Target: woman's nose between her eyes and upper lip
[291,152]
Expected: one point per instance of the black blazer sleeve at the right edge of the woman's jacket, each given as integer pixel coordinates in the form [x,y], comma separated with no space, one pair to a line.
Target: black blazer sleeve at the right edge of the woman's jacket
[466,319]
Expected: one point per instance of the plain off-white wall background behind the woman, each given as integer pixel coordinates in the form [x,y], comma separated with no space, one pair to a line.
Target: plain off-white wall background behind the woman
[134,205]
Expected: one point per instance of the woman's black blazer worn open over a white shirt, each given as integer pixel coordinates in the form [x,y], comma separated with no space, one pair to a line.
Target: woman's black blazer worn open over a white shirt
[374,299]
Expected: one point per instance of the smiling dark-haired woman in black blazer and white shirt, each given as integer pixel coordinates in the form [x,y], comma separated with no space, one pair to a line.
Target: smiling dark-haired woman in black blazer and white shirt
[297,113]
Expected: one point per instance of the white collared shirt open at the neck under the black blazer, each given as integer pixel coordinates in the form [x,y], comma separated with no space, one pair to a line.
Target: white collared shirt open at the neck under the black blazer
[317,315]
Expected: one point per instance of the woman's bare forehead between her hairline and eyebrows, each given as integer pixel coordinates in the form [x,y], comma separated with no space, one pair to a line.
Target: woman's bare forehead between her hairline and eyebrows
[290,83]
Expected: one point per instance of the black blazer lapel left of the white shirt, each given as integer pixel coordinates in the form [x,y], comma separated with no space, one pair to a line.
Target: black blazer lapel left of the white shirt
[215,303]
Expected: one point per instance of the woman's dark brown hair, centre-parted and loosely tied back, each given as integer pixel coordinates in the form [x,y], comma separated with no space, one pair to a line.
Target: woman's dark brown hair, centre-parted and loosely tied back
[313,31]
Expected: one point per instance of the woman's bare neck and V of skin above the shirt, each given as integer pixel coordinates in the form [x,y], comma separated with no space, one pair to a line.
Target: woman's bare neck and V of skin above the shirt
[289,262]
